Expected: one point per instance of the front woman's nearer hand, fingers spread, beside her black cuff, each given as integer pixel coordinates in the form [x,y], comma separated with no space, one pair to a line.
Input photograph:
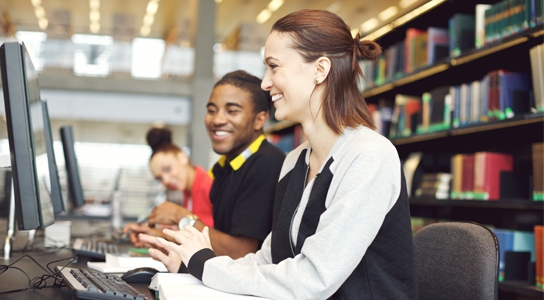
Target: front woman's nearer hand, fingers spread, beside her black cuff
[190,239]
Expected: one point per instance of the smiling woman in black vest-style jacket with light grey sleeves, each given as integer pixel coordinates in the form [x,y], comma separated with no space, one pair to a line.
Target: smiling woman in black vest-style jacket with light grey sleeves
[342,222]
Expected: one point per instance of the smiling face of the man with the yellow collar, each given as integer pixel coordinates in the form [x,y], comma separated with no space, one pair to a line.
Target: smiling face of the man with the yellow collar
[231,121]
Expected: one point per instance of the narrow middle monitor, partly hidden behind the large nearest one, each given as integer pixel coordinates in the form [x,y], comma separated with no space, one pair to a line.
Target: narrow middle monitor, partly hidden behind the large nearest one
[54,187]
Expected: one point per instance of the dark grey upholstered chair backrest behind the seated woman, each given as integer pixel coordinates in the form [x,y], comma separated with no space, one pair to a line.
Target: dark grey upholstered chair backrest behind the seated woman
[456,260]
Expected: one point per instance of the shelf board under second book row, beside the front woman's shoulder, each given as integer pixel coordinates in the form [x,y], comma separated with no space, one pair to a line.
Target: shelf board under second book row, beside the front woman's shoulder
[481,127]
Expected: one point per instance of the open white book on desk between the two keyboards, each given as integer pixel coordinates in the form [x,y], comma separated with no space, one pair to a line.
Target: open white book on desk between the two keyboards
[121,263]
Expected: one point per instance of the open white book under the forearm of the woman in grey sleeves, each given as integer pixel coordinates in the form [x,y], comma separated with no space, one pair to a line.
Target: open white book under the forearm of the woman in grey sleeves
[175,286]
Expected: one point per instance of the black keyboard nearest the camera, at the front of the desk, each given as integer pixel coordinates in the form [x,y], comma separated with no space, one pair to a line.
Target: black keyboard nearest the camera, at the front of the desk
[91,284]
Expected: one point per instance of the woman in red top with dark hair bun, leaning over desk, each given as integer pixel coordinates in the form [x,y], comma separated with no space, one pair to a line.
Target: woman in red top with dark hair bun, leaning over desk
[171,166]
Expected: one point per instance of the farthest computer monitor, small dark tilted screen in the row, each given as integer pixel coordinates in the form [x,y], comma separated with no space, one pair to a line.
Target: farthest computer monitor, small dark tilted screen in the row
[75,191]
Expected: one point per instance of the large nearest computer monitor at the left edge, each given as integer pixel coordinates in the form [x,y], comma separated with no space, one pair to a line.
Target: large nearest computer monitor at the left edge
[25,124]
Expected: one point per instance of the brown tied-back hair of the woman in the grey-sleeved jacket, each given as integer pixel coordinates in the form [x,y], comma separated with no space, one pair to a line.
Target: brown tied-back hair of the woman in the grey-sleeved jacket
[318,33]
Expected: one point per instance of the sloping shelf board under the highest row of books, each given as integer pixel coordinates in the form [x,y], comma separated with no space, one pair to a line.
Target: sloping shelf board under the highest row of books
[509,42]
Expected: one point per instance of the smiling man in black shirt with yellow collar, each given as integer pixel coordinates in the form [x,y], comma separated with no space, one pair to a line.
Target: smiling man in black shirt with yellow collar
[246,174]
